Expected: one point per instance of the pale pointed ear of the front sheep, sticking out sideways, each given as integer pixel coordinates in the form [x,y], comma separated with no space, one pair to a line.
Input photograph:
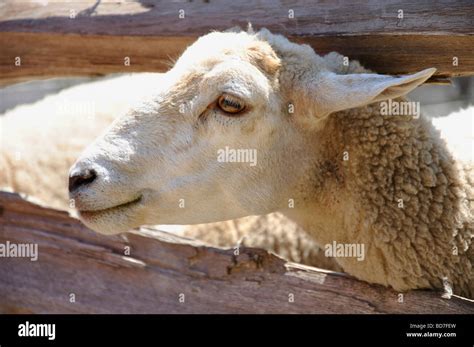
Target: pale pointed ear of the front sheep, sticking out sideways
[340,92]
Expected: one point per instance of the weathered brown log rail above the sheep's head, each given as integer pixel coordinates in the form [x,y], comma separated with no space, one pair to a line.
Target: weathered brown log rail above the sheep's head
[95,37]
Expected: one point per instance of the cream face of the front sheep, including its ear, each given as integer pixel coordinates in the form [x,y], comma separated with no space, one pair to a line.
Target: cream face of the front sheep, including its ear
[214,138]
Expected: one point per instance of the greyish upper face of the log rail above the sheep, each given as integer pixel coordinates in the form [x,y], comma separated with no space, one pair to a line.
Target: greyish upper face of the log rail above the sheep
[311,18]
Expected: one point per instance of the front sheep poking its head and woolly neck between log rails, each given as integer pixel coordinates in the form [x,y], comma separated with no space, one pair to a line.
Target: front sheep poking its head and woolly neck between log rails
[384,188]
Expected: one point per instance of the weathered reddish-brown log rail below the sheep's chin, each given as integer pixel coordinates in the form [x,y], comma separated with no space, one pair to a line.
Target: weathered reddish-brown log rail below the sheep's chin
[79,271]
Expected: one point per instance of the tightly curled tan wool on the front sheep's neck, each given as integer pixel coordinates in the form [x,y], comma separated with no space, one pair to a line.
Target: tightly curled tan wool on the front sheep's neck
[416,196]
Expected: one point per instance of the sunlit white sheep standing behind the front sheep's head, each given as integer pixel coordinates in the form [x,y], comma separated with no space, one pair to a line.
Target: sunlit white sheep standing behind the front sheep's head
[65,123]
